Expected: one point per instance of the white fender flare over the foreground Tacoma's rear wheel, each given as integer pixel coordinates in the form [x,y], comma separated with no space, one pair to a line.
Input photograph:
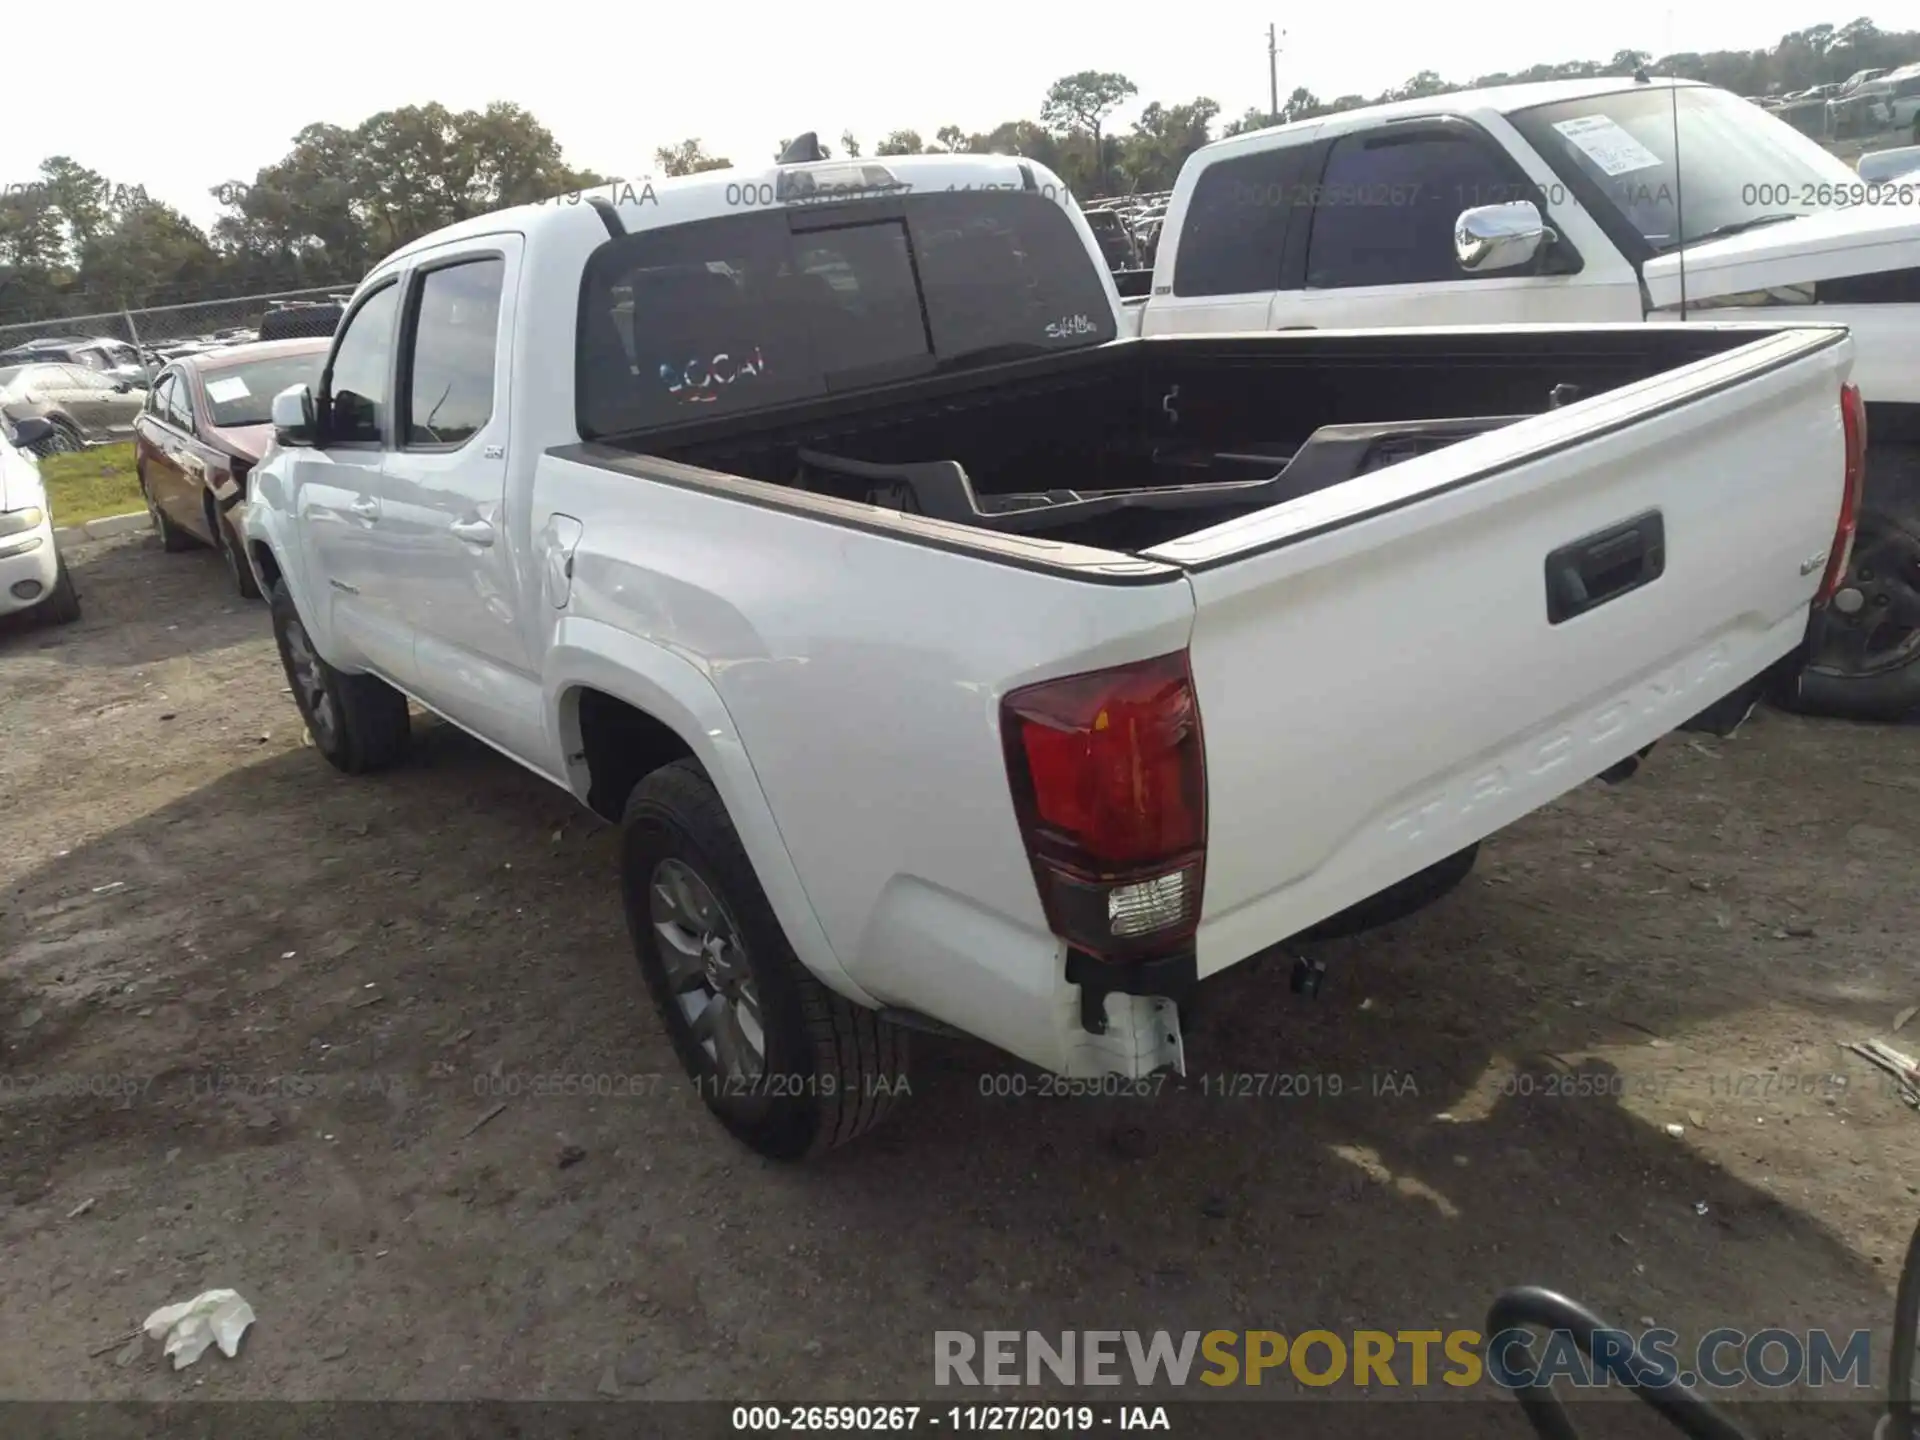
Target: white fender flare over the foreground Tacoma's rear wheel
[673,690]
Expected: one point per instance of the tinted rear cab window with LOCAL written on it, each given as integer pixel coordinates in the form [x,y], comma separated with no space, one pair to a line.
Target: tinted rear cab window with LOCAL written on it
[748,312]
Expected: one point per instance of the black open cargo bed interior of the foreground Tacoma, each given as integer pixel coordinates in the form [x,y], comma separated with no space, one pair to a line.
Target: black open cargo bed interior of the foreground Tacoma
[1140,443]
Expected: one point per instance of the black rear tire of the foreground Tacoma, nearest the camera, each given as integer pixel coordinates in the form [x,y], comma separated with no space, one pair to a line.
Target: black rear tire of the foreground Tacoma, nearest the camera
[830,1070]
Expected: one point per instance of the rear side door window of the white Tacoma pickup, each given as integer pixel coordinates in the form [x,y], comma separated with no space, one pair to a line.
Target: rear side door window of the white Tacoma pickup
[450,364]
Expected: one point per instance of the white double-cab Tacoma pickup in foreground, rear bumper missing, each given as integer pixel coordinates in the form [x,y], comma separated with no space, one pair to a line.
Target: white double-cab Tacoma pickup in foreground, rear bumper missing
[957,665]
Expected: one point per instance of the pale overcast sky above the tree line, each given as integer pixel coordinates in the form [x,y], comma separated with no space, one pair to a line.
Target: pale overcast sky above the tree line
[617,82]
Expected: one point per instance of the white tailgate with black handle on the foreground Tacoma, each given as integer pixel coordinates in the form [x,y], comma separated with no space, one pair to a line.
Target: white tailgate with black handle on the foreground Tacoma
[1381,669]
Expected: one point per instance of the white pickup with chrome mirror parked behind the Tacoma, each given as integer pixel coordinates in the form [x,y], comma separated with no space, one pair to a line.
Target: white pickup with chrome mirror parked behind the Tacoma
[1581,203]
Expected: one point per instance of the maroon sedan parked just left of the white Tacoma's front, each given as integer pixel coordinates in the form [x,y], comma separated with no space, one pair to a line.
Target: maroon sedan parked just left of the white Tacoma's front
[204,427]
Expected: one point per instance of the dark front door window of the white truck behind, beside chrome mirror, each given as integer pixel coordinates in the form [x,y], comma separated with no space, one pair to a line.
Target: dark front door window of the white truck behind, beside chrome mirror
[1387,206]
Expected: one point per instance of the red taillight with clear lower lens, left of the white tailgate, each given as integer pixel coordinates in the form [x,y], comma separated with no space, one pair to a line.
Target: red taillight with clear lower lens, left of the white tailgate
[1111,788]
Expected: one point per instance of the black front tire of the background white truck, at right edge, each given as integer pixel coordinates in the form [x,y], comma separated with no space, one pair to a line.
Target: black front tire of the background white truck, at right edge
[1865,665]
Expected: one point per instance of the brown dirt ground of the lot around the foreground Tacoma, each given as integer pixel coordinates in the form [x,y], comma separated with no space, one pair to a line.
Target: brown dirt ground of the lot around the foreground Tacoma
[256,1017]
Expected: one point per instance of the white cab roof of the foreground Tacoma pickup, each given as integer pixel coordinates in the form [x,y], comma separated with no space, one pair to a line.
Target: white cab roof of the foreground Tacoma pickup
[646,203]
